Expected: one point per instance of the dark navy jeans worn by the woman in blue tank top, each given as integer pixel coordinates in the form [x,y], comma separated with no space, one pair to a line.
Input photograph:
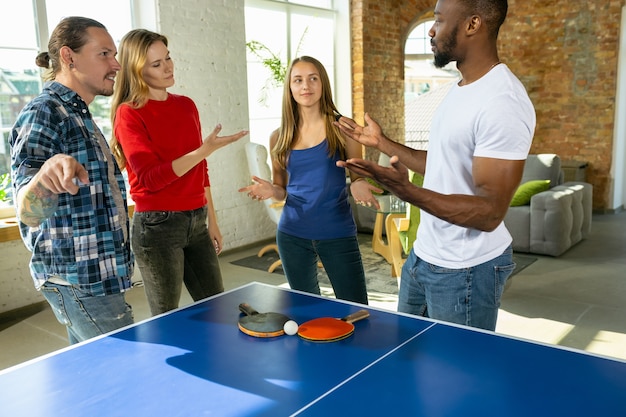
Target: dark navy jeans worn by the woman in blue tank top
[342,262]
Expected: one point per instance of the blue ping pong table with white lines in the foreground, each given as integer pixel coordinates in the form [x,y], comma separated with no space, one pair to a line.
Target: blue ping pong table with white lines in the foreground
[195,362]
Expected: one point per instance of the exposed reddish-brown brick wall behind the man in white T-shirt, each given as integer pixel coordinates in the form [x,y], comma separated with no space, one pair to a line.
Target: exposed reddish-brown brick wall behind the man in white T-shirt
[565,53]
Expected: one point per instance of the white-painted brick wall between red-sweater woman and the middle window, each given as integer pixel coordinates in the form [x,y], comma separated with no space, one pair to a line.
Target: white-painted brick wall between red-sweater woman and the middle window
[207,44]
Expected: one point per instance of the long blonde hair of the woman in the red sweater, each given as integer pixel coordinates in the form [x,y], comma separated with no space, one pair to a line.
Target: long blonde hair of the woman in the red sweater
[130,86]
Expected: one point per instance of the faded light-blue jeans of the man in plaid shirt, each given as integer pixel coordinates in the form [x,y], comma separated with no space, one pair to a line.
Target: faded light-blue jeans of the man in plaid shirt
[84,315]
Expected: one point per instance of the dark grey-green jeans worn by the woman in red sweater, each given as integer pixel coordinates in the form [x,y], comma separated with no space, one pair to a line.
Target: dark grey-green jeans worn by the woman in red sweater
[172,247]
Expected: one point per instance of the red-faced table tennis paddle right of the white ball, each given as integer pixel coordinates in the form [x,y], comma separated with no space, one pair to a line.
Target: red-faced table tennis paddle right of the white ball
[330,329]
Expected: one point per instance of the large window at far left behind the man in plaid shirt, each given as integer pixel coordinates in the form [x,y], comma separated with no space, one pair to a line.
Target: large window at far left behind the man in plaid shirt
[24,32]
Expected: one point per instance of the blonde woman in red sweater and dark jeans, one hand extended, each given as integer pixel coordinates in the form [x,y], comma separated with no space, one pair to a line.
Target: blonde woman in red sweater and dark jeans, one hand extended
[158,139]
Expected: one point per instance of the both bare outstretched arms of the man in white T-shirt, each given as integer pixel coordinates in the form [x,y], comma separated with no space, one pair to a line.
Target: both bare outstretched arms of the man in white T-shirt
[495,180]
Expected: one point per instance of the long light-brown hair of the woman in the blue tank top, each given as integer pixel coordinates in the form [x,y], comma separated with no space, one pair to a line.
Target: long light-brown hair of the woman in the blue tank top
[291,116]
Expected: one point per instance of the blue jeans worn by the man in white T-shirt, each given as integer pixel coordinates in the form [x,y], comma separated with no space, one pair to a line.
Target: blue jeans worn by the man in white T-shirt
[468,296]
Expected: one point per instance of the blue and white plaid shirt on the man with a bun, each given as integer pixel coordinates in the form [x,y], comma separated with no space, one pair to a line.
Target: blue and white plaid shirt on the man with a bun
[83,241]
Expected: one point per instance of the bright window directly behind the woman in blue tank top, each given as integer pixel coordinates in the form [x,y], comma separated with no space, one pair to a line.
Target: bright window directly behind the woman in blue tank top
[287,29]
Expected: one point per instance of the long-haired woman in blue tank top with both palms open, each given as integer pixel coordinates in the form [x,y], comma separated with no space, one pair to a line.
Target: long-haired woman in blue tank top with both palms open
[316,222]
